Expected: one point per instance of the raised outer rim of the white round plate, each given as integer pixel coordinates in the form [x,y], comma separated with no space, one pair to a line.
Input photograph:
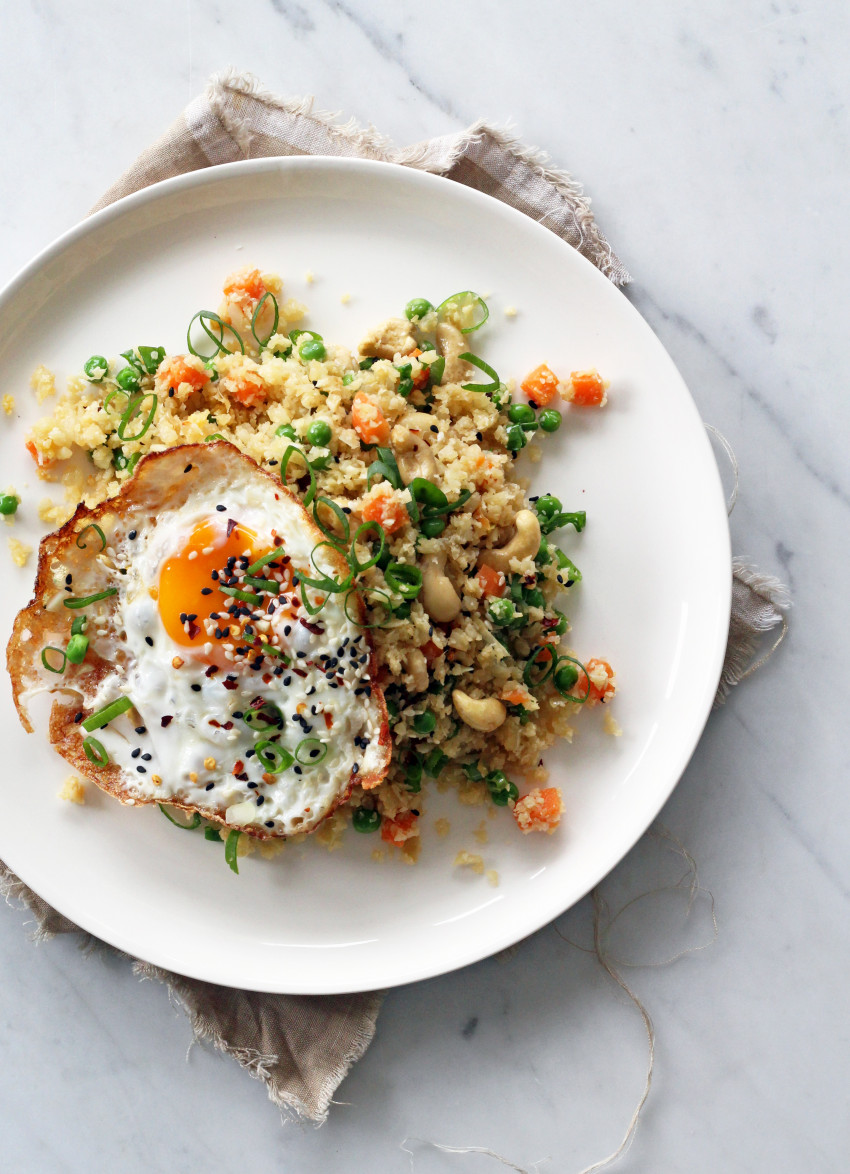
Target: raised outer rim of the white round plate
[623,845]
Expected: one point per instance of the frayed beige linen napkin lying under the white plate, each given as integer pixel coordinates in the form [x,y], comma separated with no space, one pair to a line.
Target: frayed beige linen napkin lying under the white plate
[301,1048]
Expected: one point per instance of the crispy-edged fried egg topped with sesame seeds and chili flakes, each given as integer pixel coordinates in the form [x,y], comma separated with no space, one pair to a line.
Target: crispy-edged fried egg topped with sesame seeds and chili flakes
[245,707]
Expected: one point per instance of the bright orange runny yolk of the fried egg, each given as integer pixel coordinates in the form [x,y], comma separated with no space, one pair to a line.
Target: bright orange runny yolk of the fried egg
[190,582]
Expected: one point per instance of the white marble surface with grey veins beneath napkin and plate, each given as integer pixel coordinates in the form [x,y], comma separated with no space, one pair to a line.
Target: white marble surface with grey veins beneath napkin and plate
[714,143]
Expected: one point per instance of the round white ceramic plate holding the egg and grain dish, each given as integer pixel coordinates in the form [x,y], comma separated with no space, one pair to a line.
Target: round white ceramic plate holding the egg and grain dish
[656,558]
